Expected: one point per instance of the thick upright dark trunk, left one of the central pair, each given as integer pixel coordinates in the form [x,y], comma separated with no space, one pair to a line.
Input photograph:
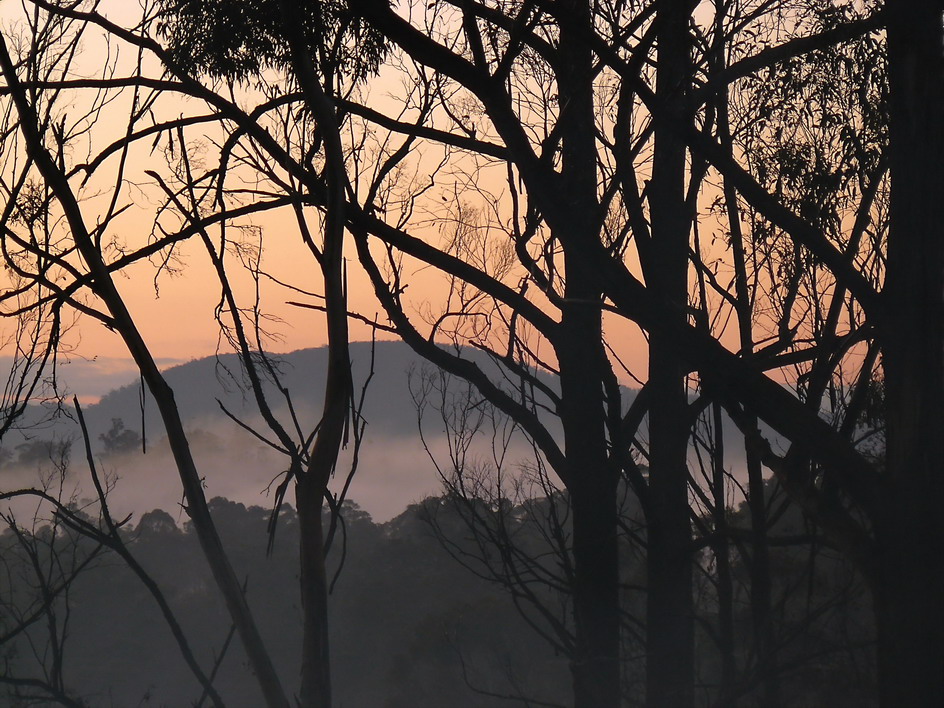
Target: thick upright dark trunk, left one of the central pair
[590,481]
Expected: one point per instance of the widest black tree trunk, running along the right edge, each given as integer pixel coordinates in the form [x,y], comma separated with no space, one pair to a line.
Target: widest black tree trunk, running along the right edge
[909,572]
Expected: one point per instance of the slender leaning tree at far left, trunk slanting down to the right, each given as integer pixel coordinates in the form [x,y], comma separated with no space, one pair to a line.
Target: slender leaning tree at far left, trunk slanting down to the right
[48,163]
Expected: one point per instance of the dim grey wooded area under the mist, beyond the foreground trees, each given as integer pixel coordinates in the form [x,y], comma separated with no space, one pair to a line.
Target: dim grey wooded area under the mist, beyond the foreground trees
[439,633]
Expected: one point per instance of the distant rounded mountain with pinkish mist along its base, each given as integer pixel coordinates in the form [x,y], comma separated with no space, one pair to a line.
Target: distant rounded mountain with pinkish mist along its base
[394,468]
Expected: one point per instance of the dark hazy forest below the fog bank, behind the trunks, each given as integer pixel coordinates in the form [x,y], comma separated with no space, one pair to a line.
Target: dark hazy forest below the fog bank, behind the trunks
[420,616]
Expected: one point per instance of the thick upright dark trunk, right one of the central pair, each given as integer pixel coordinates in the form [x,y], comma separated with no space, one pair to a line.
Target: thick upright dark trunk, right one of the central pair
[669,616]
